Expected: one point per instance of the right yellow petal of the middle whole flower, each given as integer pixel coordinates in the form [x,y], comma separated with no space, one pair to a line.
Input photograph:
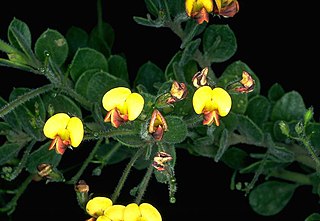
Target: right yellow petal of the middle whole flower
[135,104]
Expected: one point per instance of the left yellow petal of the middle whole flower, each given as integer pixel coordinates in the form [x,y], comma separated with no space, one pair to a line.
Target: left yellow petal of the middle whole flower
[115,97]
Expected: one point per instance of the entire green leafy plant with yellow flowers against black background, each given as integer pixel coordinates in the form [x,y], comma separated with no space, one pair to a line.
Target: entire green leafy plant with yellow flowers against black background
[90,102]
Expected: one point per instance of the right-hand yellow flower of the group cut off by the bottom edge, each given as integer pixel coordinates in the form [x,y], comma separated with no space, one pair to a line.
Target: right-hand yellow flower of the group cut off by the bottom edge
[144,211]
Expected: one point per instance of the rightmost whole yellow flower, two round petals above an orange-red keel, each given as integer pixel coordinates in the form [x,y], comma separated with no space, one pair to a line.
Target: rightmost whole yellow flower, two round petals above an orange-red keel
[212,103]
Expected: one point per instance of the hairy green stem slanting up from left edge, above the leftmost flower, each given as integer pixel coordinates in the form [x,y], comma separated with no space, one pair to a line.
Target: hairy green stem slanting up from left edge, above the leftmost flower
[23,98]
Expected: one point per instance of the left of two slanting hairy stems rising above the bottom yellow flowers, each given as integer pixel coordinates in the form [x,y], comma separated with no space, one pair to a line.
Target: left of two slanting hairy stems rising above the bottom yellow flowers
[125,174]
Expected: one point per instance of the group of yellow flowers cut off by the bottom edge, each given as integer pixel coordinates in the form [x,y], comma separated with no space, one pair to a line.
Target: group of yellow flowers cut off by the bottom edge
[102,209]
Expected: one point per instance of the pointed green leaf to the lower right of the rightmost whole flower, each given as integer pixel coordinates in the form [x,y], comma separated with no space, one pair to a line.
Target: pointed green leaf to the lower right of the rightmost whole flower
[249,129]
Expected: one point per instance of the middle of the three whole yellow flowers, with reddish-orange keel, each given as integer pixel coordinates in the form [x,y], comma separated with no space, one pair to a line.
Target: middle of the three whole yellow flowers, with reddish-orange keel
[122,105]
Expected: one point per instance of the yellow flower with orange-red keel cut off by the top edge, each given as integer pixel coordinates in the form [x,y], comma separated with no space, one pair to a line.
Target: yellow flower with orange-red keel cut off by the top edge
[199,9]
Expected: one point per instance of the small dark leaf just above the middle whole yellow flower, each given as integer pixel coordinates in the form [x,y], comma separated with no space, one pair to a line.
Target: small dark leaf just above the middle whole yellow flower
[118,67]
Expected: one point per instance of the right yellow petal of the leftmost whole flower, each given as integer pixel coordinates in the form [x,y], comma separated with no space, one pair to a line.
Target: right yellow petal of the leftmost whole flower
[75,128]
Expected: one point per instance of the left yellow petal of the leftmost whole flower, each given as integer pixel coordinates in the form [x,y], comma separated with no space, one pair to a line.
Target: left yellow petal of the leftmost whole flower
[55,124]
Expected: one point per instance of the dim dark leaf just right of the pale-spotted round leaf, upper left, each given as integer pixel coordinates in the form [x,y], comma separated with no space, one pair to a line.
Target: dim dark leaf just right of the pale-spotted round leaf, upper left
[76,38]
